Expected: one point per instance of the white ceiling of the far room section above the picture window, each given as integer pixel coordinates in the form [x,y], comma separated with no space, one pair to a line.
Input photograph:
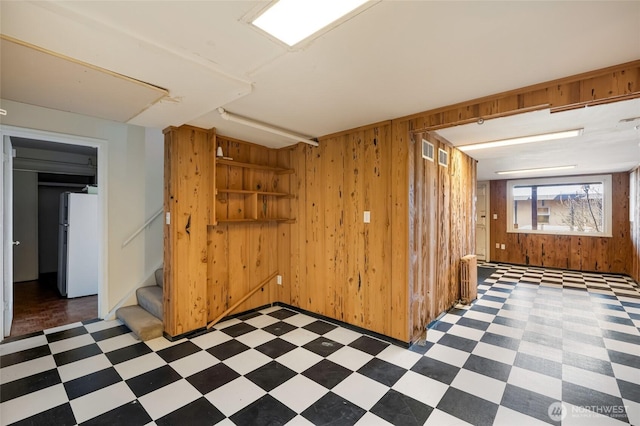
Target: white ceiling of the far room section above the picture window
[605,145]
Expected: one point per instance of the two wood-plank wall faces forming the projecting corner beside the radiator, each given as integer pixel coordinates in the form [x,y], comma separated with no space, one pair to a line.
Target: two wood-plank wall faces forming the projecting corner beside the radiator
[395,274]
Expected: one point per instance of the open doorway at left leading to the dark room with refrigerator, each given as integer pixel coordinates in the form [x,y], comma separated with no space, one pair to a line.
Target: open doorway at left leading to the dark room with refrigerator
[50,166]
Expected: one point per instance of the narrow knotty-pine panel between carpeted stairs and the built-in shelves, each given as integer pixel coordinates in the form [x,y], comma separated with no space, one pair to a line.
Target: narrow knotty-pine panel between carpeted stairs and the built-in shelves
[189,199]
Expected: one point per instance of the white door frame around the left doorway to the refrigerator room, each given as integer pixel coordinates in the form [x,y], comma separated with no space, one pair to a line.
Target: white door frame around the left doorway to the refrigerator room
[103,248]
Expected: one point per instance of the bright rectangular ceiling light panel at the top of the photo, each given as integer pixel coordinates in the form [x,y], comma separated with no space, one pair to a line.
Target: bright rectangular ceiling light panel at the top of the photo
[291,21]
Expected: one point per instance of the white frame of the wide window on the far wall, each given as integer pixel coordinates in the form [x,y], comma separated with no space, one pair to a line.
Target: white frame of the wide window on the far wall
[607,230]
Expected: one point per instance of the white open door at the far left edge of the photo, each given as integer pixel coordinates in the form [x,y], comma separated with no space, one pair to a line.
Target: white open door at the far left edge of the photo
[7,235]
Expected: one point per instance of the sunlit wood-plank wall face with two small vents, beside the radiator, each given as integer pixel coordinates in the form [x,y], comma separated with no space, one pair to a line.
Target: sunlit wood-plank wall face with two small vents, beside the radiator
[441,228]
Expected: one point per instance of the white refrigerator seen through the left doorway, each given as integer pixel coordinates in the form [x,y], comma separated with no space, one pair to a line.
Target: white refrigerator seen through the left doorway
[78,245]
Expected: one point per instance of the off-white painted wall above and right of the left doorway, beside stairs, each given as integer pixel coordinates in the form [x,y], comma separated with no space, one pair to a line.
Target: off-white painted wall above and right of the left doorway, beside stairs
[134,190]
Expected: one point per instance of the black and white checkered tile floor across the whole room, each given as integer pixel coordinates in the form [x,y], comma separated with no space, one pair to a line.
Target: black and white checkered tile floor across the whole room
[537,347]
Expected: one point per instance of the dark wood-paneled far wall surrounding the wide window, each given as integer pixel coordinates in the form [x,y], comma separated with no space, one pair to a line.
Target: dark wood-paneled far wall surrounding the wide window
[580,253]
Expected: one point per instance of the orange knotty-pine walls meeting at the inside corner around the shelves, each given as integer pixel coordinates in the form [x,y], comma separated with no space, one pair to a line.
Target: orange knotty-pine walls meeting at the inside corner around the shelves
[332,262]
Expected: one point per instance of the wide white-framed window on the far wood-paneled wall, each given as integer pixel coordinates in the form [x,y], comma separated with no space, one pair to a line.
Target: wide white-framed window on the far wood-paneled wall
[578,205]
